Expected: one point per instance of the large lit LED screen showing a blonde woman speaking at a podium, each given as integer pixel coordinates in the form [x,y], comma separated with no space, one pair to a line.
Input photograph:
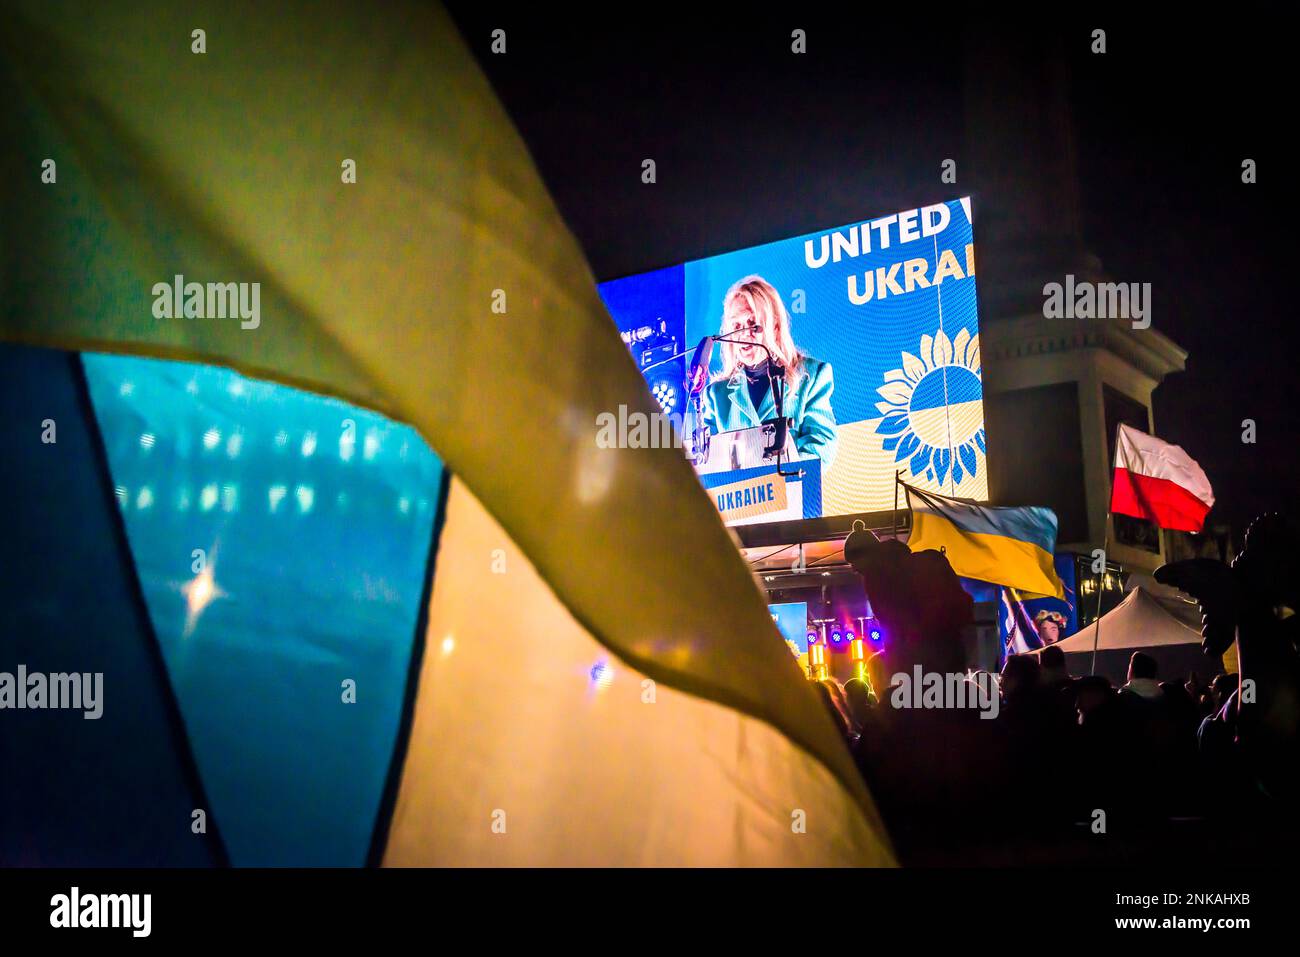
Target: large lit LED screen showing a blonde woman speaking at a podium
[868,335]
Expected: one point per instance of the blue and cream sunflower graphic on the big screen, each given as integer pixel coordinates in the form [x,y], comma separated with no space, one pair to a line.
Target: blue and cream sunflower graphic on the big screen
[934,412]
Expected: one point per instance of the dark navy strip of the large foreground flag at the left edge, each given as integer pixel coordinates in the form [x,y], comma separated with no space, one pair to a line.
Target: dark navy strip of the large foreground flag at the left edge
[119,790]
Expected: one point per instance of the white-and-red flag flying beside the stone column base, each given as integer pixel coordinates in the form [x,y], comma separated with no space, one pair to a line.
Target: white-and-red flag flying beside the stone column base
[1160,483]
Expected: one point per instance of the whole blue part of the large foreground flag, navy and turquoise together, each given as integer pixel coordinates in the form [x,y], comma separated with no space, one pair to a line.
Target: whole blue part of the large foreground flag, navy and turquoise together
[245,571]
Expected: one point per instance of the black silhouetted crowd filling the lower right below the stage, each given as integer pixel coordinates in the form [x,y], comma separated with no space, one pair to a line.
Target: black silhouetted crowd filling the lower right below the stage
[1073,765]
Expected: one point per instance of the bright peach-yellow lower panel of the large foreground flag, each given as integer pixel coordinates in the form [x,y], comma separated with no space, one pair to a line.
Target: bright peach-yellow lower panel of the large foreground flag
[519,757]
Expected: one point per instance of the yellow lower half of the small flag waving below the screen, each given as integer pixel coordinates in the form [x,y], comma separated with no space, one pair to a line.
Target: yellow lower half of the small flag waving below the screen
[987,557]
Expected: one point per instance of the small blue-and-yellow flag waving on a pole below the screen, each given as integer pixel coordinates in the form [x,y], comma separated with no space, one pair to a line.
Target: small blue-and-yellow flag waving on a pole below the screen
[1006,547]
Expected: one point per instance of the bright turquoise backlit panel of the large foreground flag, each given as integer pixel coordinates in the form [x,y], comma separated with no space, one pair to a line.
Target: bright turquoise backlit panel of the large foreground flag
[317,518]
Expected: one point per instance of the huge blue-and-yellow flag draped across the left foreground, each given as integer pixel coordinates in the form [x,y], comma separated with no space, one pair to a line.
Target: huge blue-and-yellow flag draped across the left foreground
[554,686]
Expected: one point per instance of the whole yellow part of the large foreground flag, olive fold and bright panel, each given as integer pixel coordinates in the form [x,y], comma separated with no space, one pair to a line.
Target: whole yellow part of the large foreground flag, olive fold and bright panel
[359,168]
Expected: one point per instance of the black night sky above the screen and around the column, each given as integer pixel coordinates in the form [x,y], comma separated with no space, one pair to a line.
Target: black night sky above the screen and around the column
[755,145]
